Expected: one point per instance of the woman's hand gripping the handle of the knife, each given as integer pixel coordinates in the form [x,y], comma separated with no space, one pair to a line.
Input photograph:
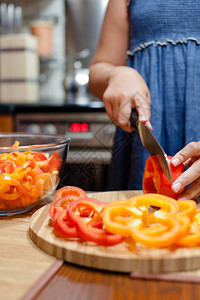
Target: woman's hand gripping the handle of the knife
[126,89]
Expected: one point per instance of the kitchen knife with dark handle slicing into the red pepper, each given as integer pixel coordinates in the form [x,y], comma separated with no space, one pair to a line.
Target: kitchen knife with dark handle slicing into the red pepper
[151,144]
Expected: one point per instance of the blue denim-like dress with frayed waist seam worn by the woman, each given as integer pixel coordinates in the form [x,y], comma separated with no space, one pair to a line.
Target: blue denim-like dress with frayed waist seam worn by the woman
[165,49]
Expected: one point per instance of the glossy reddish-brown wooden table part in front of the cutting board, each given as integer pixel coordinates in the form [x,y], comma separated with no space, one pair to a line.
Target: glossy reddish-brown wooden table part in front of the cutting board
[76,283]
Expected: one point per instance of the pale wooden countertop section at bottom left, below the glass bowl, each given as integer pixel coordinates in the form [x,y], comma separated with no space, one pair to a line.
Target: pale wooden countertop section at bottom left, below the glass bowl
[21,262]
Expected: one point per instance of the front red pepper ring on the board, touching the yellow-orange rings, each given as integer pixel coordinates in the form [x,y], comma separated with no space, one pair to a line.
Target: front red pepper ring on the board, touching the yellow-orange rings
[88,228]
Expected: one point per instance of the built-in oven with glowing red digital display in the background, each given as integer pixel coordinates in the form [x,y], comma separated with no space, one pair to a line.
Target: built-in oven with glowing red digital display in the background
[91,133]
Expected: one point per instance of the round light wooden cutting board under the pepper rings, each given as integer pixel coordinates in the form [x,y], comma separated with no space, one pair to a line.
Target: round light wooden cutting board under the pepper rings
[125,257]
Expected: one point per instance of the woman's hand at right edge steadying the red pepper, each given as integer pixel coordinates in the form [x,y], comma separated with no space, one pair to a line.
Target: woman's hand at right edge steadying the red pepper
[190,157]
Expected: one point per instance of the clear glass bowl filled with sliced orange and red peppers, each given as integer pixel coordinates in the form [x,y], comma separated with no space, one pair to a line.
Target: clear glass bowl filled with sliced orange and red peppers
[30,169]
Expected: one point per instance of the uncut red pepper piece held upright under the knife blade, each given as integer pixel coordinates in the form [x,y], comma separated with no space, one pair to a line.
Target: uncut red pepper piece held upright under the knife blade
[155,181]
